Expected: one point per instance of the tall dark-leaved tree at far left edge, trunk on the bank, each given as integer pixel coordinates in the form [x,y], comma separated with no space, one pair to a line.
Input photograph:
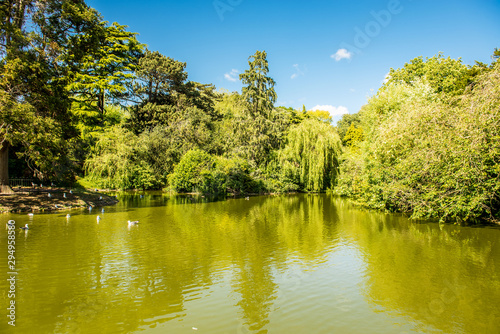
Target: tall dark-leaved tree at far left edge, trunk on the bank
[34,102]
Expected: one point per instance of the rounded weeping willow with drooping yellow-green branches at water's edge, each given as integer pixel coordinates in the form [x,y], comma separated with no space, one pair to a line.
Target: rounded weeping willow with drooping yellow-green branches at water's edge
[310,157]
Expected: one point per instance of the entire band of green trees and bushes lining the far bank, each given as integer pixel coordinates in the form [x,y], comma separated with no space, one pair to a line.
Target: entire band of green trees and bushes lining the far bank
[83,101]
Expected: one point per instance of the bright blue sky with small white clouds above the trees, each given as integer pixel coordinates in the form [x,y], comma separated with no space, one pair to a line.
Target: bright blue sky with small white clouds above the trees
[324,53]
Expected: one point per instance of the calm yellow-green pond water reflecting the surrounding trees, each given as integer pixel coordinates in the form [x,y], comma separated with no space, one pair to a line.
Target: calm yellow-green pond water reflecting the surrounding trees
[284,264]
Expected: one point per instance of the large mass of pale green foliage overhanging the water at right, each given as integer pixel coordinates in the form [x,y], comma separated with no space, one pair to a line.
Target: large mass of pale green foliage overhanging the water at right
[430,150]
